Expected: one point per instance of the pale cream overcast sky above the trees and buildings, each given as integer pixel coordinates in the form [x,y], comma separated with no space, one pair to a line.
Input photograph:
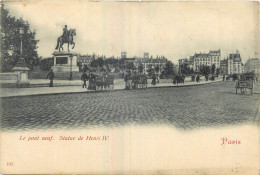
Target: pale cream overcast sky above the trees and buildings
[173,29]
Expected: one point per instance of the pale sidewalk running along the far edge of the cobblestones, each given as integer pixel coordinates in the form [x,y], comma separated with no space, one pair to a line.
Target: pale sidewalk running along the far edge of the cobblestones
[65,86]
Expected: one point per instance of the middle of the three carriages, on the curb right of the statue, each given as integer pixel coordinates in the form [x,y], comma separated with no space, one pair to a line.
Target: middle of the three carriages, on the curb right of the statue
[137,81]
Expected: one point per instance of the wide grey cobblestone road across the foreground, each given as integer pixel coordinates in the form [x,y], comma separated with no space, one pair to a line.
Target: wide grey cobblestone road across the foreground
[182,107]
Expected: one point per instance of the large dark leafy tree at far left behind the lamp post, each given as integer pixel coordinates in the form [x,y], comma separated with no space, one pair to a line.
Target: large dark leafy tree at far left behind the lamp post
[10,43]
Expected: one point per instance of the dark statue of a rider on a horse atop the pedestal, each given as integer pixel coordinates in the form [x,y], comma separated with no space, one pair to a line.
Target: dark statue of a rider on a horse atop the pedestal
[67,37]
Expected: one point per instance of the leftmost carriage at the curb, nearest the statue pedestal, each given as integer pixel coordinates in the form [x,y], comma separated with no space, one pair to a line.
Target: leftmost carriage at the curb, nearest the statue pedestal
[101,82]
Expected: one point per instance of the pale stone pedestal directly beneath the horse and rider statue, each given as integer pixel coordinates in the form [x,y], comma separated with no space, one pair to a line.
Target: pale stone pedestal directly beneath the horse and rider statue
[65,62]
